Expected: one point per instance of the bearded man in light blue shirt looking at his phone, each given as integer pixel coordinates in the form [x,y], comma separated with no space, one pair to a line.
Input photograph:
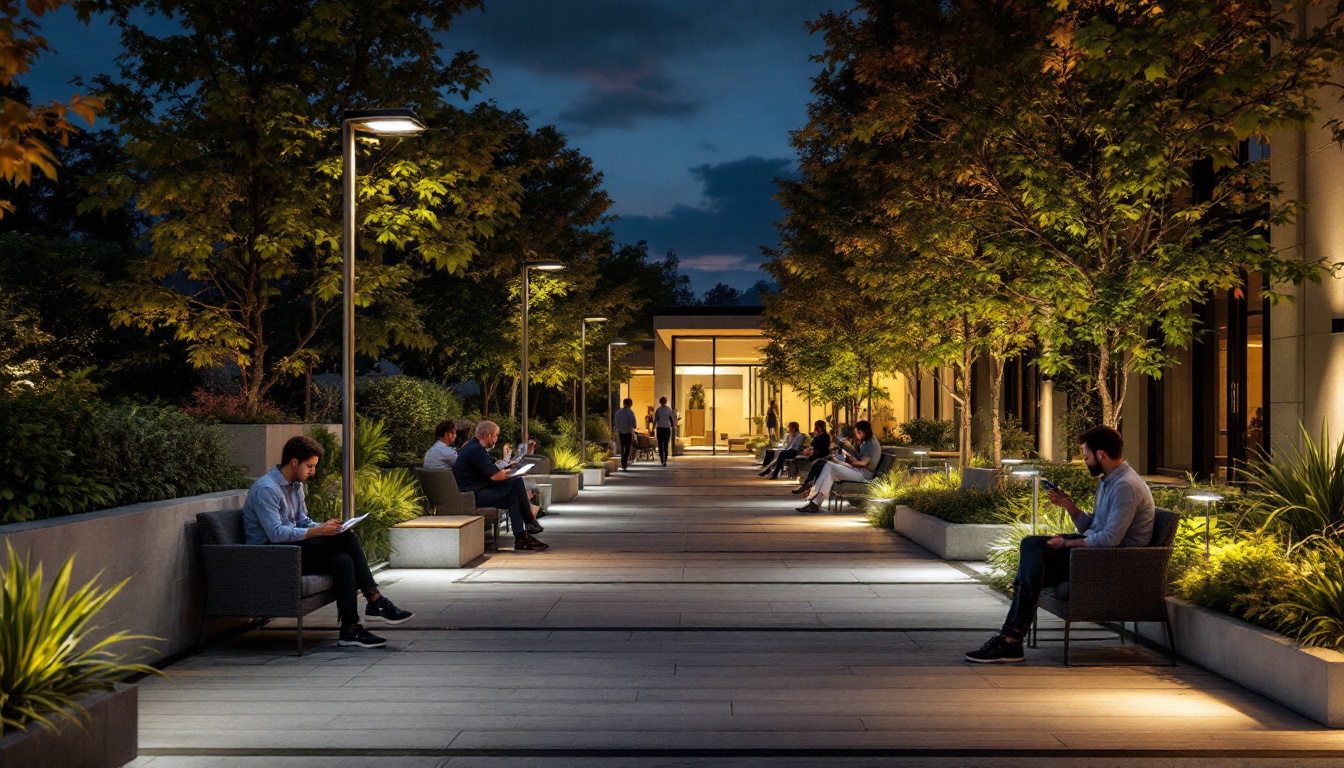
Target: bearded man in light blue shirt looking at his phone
[1123,516]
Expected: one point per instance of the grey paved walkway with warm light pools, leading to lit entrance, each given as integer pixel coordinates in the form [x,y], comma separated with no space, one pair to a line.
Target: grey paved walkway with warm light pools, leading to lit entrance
[689,617]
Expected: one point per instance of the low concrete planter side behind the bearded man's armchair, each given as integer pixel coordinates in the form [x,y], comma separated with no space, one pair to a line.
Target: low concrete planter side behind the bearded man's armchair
[1310,681]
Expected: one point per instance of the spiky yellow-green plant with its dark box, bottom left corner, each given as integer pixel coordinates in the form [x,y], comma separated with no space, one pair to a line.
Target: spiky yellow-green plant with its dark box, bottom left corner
[64,701]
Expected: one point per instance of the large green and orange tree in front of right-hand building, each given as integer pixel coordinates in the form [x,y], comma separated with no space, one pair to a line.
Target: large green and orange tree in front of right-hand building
[1079,130]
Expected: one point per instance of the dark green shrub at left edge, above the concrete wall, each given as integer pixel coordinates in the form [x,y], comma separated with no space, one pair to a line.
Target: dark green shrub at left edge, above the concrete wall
[44,463]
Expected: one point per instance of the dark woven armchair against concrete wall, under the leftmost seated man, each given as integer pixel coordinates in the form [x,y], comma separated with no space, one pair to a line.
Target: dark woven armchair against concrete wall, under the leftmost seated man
[256,582]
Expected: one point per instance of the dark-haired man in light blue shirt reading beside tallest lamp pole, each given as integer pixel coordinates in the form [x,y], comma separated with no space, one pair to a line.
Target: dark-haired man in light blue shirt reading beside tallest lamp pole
[276,513]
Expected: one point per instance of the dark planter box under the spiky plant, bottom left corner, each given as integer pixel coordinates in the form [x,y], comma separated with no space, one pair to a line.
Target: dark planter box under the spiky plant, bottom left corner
[110,739]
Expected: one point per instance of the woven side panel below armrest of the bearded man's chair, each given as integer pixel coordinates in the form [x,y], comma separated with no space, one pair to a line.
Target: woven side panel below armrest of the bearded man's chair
[1111,584]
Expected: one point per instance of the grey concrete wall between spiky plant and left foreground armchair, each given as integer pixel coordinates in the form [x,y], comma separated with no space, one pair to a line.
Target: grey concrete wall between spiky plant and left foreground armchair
[157,545]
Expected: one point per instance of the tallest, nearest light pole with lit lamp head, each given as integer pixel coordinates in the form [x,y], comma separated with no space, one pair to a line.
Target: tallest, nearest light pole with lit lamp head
[380,123]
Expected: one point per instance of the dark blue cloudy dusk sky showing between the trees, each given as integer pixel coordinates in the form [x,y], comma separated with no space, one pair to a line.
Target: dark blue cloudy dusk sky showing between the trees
[685,106]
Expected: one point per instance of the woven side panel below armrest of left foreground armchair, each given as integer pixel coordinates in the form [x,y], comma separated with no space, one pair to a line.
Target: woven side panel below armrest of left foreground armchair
[252,580]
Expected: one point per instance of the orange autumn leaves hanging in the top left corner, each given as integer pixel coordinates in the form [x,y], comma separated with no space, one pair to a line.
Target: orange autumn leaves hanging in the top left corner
[28,128]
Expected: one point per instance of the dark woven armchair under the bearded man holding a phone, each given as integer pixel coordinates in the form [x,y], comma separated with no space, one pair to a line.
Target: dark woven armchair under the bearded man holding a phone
[1118,584]
